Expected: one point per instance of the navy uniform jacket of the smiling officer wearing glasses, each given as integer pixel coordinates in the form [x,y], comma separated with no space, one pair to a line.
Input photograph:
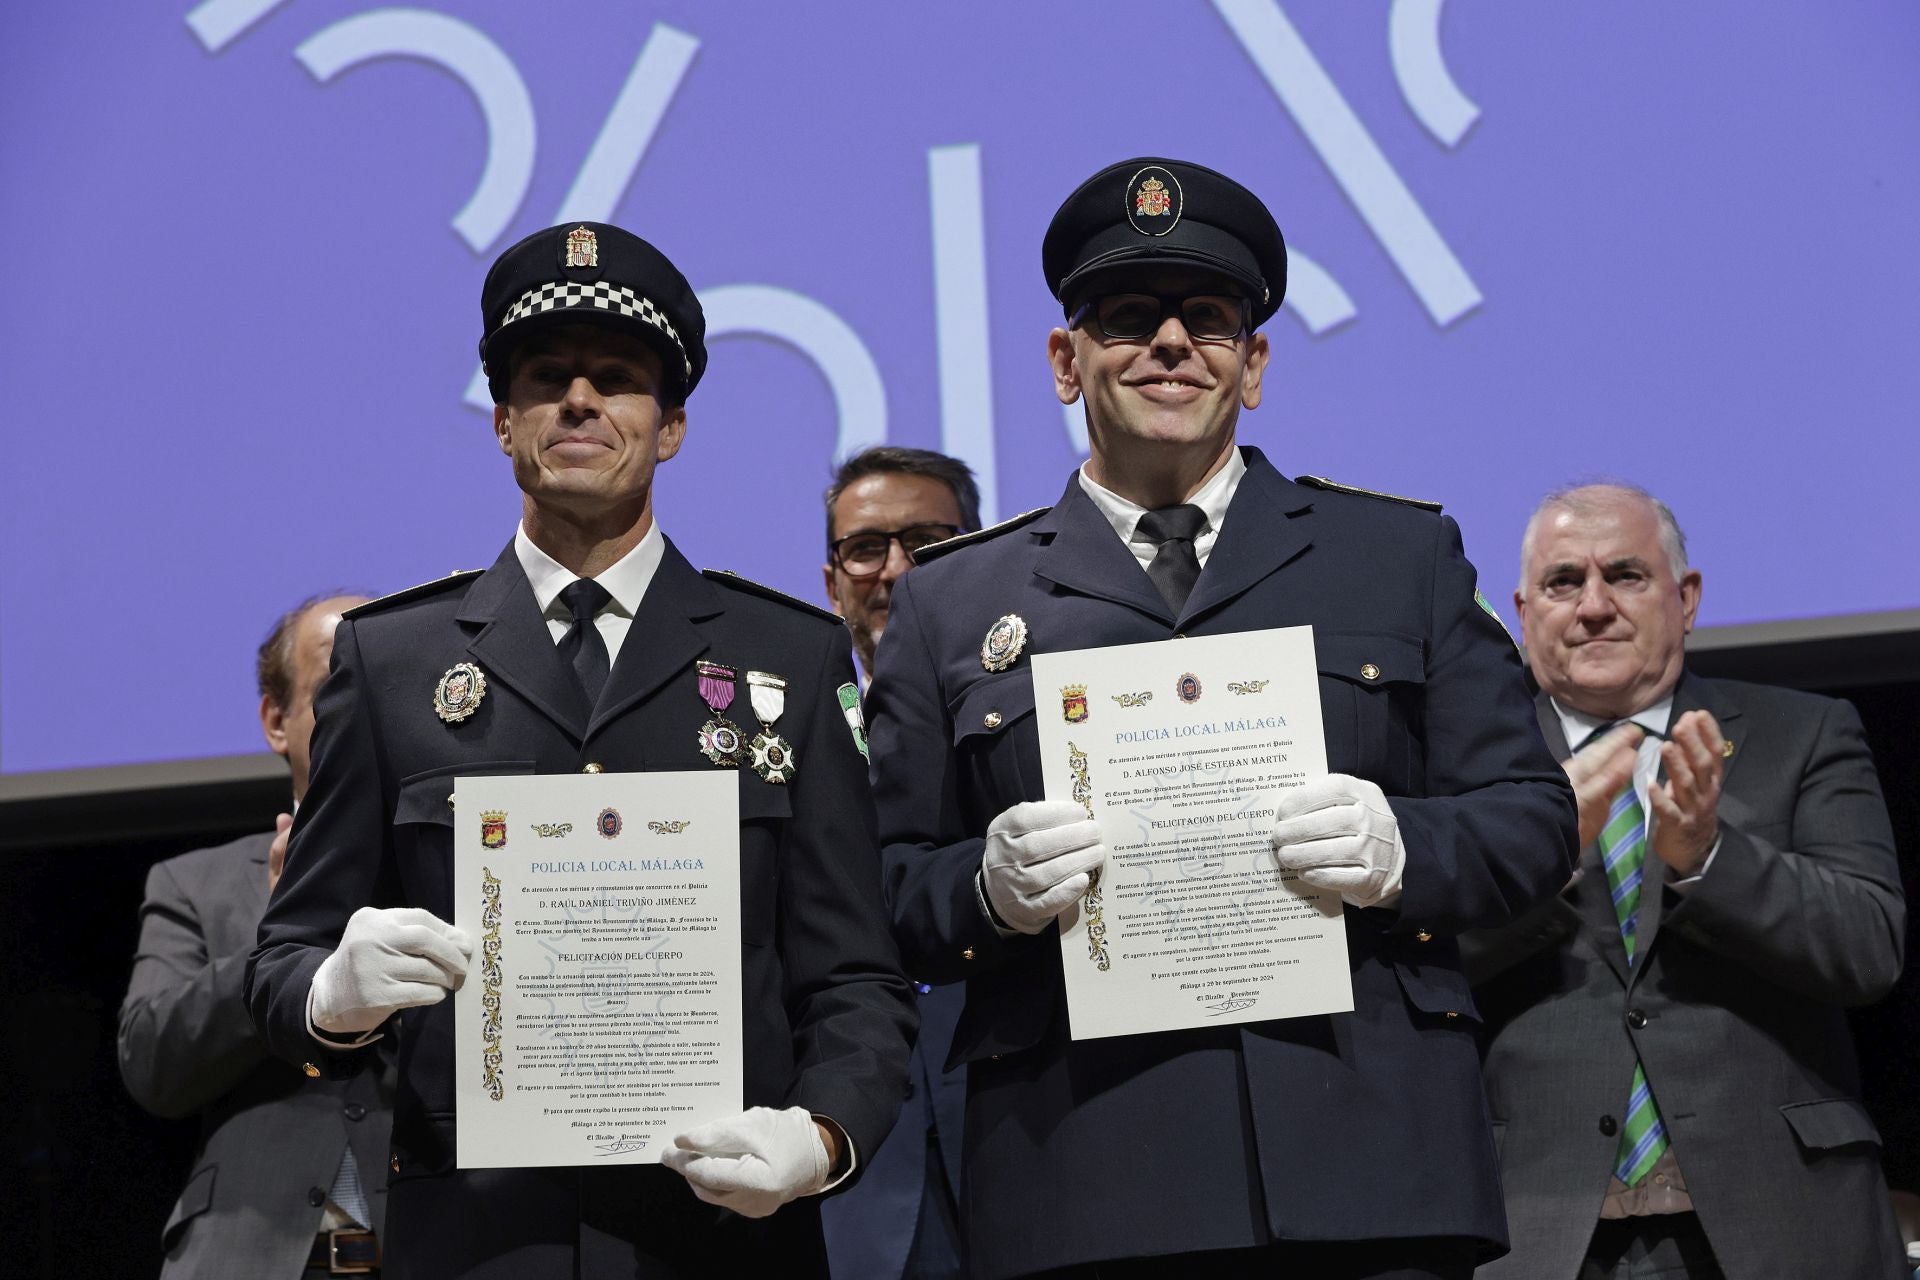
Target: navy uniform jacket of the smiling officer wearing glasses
[1343,1127]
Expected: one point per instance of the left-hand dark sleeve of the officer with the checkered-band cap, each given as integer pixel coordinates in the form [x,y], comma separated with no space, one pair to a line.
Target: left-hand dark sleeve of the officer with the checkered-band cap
[339,861]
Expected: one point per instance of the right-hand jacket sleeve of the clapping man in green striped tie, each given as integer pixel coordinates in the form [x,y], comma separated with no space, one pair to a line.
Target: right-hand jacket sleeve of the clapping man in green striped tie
[1817,907]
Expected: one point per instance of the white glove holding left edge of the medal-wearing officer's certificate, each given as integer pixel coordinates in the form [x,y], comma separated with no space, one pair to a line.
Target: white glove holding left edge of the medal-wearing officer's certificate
[389,959]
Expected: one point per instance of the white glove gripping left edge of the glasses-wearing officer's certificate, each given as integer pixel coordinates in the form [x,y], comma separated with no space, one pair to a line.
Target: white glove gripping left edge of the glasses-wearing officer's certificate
[1040,859]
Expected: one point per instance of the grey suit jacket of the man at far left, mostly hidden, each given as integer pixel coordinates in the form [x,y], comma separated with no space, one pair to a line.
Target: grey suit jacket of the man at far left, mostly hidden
[270,1139]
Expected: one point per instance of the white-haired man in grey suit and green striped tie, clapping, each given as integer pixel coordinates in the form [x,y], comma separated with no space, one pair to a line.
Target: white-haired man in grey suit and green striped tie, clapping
[1669,1068]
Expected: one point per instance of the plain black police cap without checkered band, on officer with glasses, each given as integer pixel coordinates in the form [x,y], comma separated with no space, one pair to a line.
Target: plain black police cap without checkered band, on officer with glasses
[1153,212]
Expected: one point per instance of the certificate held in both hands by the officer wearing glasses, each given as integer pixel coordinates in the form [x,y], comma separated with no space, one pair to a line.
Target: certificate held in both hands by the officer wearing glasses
[1180,749]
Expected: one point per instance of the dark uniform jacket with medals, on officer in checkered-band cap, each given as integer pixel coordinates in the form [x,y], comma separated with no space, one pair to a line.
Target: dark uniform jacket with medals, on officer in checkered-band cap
[828,1018]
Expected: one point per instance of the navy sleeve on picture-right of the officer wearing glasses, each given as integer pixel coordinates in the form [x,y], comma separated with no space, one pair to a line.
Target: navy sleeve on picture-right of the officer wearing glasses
[1497,828]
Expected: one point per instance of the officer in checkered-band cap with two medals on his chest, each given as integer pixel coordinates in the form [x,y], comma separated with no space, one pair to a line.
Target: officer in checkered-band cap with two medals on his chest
[594,646]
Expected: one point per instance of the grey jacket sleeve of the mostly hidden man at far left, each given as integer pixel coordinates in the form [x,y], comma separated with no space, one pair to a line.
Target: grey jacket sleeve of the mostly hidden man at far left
[185,1037]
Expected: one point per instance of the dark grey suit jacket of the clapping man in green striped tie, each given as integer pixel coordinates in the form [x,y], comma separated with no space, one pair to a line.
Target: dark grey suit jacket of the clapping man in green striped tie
[1739,987]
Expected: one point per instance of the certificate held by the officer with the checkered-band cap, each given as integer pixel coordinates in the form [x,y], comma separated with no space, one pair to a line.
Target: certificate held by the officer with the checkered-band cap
[604,1008]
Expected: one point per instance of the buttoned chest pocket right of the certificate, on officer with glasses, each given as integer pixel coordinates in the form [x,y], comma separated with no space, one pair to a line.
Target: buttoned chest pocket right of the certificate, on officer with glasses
[1374,694]
